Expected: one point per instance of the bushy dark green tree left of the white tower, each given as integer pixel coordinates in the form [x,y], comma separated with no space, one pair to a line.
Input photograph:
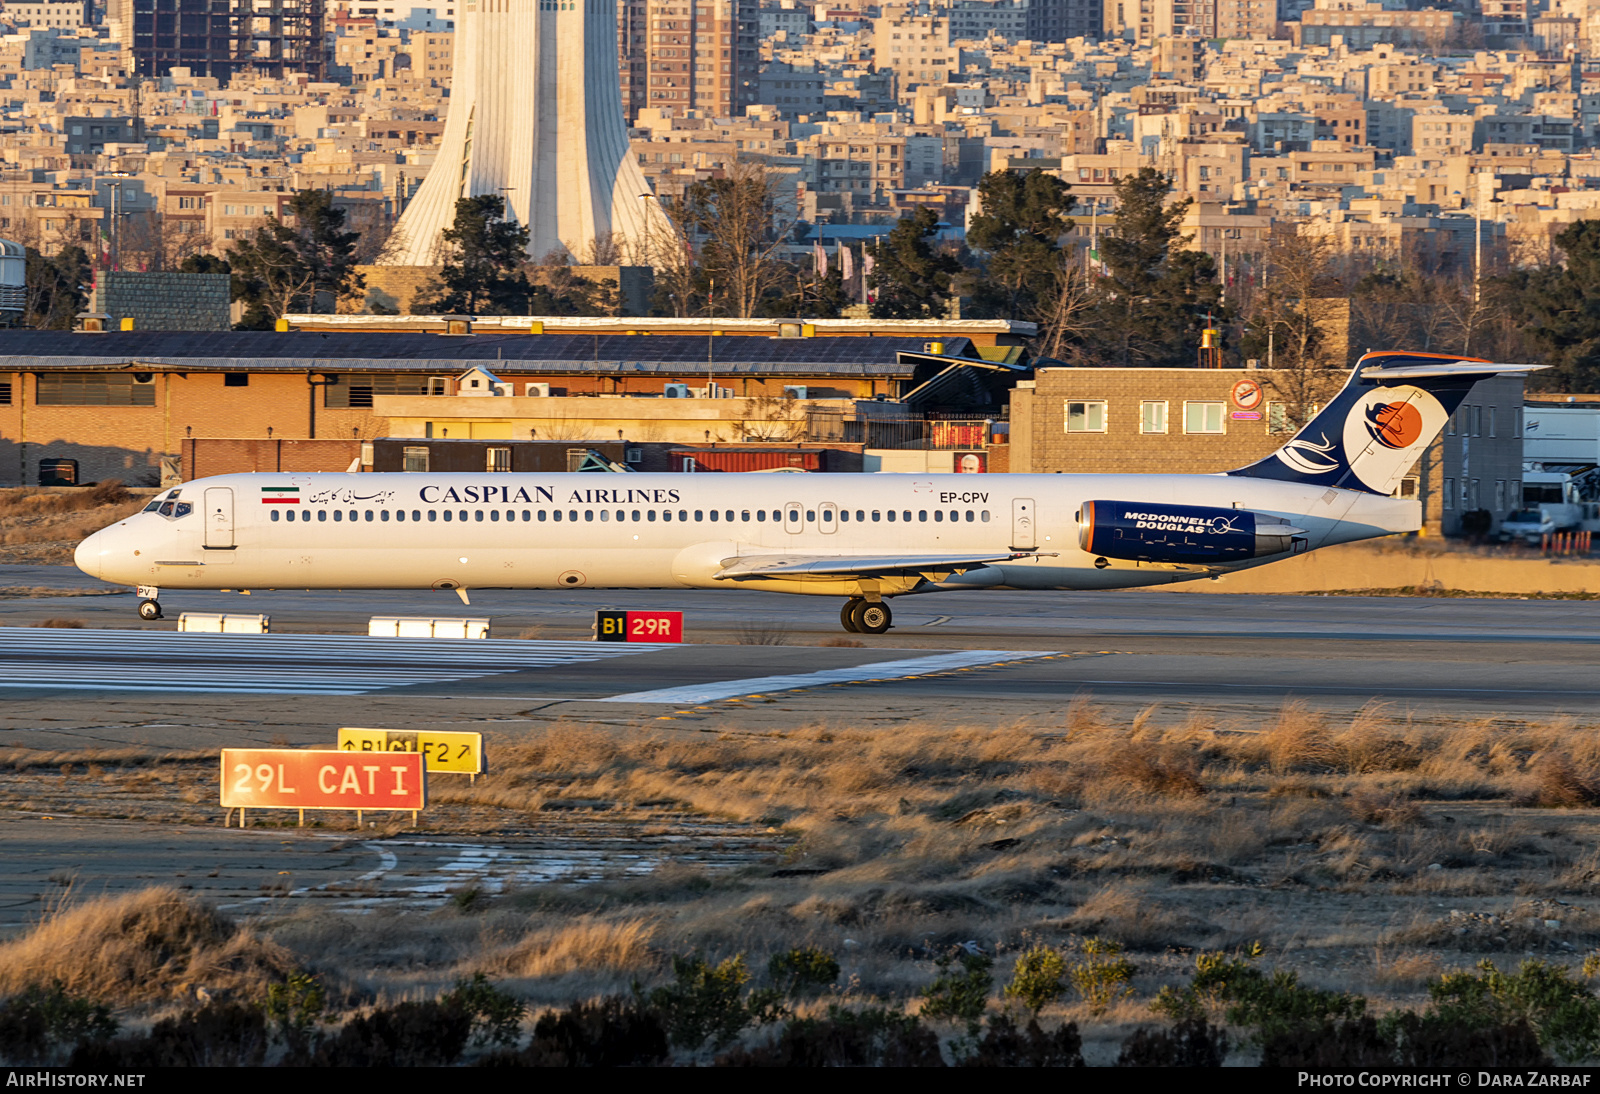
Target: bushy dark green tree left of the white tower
[295,268]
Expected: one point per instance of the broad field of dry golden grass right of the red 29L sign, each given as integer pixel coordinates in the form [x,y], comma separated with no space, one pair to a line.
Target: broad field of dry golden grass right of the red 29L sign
[1366,853]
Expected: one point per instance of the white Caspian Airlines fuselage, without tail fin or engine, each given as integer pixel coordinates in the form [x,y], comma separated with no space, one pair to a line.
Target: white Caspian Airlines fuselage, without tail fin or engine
[594,530]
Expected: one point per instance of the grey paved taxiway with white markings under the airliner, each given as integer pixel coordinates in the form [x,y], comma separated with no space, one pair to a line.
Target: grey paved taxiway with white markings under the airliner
[950,657]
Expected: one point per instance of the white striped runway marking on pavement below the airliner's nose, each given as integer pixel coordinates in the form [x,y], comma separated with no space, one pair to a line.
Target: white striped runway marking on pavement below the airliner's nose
[271,665]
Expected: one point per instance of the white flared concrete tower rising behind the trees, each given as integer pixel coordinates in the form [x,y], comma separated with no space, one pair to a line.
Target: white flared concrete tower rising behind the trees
[537,118]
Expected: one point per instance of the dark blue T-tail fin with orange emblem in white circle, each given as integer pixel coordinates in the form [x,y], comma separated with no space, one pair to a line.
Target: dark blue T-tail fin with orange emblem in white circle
[1377,428]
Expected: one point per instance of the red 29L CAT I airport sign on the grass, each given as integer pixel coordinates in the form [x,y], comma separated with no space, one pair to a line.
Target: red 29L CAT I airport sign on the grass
[316,780]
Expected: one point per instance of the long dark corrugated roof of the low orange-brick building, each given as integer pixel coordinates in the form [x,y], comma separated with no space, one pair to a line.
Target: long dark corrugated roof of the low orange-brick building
[446,354]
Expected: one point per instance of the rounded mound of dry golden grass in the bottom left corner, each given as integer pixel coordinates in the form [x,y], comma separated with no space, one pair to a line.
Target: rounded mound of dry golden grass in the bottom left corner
[146,948]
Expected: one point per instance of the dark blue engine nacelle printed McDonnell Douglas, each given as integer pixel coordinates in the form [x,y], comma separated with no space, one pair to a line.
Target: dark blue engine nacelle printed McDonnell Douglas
[1198,535]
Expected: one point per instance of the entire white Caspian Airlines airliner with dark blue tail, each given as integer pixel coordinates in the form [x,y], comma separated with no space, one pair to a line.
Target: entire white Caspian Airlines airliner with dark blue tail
[865,538]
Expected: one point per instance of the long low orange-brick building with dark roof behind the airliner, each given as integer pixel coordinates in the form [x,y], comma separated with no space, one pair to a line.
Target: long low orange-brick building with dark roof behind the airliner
[127,405]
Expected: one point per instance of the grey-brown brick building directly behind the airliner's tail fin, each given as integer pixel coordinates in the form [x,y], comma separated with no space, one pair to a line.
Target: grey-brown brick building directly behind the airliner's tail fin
[1185,421]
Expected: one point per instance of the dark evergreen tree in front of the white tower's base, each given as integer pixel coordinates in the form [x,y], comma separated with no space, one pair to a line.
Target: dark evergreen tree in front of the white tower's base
[484,274]
